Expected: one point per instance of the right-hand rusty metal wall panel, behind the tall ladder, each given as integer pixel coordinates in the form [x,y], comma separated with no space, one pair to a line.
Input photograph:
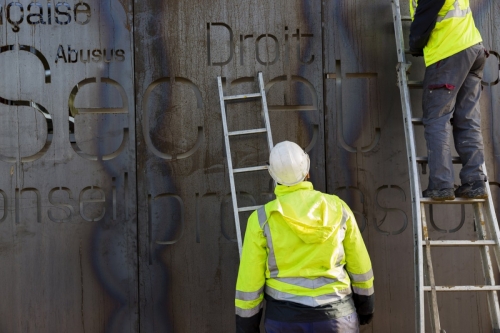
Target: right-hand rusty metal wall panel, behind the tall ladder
[369,168]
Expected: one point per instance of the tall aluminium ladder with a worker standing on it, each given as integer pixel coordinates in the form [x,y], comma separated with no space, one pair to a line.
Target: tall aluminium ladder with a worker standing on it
[484,214]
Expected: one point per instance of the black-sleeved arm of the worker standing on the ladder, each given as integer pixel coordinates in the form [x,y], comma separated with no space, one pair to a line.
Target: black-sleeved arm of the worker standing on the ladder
[423,23]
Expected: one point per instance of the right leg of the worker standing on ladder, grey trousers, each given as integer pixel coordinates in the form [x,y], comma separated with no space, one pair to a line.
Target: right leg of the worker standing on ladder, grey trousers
[467,119]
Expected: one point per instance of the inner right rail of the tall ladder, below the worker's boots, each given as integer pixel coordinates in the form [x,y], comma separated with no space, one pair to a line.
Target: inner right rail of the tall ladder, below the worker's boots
[487,264]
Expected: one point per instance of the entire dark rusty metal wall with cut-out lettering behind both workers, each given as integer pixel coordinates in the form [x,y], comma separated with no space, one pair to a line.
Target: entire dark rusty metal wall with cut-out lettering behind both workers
[115,211]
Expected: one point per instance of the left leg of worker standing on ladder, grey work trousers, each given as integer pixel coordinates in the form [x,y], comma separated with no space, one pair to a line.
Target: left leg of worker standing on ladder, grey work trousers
[441,84]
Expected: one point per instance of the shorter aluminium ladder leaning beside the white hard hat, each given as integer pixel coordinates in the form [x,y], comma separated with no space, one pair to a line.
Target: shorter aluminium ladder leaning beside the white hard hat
[266,129]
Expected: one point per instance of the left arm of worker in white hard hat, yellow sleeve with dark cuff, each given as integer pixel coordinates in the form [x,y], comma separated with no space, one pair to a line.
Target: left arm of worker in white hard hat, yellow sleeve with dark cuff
[251,278]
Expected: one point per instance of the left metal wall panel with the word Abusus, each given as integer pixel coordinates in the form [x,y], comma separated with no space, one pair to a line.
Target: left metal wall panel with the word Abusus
[68,223]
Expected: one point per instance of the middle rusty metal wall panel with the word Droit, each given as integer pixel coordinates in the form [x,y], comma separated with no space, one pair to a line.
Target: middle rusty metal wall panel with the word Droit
[188,284]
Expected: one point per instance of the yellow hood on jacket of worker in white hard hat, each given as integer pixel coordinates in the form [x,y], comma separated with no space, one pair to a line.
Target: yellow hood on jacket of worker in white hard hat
[309,213]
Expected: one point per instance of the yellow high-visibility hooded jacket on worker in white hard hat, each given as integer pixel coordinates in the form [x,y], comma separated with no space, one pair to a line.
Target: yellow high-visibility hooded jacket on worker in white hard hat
[304,247]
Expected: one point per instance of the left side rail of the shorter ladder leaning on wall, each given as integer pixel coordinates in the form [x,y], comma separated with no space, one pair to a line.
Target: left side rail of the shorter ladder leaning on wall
[230,165]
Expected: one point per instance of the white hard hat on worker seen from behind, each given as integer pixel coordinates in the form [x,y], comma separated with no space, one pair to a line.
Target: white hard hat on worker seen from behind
[288,163]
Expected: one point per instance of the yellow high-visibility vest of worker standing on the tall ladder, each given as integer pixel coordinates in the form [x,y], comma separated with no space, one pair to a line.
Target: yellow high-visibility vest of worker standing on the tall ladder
[454,31]
